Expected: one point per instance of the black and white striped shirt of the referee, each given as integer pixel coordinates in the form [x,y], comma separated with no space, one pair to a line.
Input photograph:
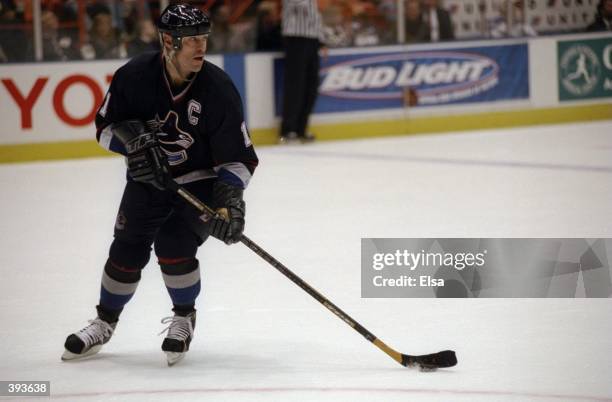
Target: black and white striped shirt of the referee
[301,18]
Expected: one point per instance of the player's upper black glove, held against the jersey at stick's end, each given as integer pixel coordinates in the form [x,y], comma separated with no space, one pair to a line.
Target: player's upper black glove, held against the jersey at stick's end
[147,162]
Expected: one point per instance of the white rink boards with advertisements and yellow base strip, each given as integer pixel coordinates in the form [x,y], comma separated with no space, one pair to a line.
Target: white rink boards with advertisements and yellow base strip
[48,109]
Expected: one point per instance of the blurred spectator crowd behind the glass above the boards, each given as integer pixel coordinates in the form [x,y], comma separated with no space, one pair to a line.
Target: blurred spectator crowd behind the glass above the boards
[109,29]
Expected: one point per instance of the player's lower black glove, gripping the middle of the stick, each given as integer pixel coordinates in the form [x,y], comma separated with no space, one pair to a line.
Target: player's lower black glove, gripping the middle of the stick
[228,222]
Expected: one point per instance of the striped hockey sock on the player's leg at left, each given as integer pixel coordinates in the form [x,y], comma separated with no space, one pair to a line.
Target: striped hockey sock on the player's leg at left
[118,287]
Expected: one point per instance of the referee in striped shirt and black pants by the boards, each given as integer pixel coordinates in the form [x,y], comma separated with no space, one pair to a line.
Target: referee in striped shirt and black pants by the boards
[301,28]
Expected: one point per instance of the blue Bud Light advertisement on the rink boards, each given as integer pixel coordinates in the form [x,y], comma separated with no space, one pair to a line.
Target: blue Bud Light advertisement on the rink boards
[369,81]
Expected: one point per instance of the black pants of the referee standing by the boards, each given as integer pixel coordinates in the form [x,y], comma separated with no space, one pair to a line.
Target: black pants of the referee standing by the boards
[301,83]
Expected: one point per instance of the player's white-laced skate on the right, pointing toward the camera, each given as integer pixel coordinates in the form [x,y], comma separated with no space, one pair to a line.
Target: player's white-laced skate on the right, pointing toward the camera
[180,333]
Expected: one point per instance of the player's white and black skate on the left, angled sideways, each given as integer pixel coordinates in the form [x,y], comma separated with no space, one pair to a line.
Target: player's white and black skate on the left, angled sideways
[89,340]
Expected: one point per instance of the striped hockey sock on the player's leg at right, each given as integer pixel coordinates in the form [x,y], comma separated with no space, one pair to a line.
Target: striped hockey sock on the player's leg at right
[182,279]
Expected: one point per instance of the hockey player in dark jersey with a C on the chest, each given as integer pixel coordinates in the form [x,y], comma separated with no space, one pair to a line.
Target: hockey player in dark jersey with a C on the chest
[175,117]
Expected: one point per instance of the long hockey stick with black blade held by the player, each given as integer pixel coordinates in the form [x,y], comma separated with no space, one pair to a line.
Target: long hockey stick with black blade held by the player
[430,362]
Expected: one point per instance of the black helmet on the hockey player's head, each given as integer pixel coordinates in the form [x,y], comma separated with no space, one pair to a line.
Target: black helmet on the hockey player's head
[180,20]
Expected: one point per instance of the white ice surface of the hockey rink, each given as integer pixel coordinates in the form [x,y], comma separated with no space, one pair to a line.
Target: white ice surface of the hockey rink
[260,337]
